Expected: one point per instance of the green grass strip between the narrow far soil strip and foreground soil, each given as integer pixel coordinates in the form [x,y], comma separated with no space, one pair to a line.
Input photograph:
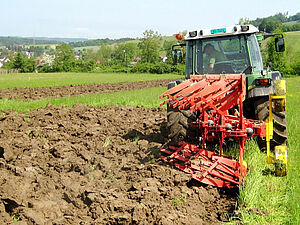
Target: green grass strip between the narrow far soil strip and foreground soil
[144,97]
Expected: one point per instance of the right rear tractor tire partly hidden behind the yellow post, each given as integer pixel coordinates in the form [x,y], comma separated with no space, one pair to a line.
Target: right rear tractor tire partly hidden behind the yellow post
[280,134]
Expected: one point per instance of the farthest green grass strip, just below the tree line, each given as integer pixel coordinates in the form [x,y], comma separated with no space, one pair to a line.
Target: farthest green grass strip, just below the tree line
[60,79]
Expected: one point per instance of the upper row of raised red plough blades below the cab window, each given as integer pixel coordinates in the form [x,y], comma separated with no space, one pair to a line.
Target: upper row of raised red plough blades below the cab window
[194,93]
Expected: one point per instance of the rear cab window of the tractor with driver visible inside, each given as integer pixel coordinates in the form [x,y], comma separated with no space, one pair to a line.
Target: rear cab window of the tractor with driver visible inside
[218,55]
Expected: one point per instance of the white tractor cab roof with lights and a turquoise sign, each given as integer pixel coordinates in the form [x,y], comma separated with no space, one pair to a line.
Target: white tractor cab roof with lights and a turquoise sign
[231,30]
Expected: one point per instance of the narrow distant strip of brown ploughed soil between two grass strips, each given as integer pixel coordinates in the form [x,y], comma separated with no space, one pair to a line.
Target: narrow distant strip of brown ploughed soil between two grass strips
[75,90]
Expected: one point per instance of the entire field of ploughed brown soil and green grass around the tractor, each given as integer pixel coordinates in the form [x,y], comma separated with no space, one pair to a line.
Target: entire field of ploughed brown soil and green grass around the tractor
[69,156]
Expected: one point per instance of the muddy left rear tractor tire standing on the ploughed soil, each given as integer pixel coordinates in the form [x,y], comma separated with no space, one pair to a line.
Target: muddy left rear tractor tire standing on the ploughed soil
[178,125]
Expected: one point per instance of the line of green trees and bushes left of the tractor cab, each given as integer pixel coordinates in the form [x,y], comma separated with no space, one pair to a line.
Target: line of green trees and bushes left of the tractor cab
[143,56]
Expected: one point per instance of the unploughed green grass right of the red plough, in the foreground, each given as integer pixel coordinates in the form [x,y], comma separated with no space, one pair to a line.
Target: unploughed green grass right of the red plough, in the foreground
[279,197]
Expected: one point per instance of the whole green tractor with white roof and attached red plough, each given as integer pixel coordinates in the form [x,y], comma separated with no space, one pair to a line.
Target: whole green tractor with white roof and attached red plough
[228,94]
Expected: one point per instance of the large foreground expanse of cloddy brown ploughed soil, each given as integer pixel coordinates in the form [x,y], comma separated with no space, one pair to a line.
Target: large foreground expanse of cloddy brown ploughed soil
[97,165]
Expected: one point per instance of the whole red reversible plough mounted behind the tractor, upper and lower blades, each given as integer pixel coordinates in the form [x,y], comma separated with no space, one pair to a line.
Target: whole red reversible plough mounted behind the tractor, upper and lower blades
[213,96]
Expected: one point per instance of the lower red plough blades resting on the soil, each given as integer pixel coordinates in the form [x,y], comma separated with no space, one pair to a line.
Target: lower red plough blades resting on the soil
[205,166]
